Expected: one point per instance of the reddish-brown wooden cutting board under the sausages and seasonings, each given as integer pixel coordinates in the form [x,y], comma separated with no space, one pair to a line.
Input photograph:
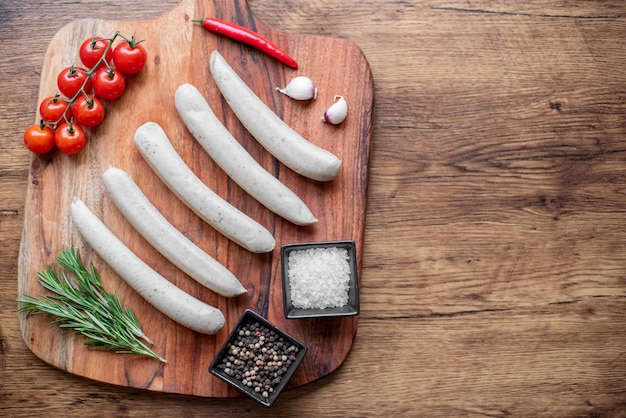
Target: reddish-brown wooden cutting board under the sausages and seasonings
[179,53]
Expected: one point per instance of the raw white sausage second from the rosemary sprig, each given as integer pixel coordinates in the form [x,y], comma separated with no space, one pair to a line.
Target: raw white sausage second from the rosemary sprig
[165,238]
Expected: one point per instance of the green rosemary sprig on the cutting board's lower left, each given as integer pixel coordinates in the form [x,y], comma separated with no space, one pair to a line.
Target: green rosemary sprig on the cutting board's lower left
[81,303]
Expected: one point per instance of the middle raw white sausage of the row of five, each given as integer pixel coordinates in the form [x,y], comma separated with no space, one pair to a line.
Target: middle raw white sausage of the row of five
[156,148]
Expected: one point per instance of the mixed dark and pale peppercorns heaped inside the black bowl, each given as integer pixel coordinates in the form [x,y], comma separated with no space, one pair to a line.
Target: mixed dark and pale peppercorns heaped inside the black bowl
[258,357]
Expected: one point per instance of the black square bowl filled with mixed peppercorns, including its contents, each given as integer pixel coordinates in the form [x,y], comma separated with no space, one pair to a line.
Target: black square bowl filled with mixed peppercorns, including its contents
[280,369]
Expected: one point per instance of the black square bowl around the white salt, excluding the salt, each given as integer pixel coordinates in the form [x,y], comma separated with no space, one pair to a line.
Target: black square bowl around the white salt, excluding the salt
[350,309]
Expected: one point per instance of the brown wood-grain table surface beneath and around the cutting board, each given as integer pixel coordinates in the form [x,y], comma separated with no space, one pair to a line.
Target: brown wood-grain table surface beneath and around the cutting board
[494,267]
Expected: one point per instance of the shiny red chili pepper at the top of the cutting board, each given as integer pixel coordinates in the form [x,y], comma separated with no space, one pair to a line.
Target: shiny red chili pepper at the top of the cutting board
[246,36]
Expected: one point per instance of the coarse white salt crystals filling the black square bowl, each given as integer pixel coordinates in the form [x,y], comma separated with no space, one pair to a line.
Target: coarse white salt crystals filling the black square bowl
[319,277]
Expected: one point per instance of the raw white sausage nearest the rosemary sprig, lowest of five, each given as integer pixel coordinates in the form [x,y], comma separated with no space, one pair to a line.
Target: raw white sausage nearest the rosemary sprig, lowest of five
[156,289]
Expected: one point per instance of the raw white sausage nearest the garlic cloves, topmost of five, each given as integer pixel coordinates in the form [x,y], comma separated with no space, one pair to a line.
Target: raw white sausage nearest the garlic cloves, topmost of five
[278,138]
